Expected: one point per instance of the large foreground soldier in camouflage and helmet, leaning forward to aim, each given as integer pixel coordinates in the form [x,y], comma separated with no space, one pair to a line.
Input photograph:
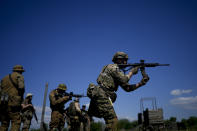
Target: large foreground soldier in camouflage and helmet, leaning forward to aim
[108,81]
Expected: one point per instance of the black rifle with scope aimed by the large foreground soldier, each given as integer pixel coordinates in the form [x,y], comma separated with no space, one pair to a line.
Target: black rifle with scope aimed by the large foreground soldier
[141,65]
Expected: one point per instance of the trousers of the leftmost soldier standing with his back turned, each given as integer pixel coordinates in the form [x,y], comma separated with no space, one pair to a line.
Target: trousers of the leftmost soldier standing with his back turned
[13,115]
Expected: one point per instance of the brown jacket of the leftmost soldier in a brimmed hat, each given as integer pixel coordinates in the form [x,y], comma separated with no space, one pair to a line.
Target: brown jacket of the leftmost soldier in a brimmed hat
[14,90]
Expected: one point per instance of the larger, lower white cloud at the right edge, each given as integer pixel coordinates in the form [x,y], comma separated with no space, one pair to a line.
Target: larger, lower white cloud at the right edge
[185,102]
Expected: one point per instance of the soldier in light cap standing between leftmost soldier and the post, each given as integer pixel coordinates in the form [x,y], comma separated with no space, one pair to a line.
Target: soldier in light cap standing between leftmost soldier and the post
[27,112]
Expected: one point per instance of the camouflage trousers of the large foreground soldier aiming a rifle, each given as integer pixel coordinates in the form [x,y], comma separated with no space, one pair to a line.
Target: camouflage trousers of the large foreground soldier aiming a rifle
[101,107]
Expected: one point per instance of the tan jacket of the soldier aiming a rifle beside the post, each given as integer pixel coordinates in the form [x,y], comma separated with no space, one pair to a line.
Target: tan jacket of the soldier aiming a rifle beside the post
[57,101]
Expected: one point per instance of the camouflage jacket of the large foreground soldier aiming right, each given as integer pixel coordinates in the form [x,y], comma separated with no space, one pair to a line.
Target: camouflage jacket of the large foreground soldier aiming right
[111,77]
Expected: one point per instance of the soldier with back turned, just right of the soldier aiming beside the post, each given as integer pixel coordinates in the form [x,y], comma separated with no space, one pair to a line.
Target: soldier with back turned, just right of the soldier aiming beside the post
[74,113]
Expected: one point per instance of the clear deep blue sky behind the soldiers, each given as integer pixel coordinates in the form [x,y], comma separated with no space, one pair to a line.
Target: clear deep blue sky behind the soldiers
[70,41]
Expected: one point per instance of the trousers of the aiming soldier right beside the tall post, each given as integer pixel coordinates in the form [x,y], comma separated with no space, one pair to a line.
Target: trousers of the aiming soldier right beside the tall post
[57,121]
